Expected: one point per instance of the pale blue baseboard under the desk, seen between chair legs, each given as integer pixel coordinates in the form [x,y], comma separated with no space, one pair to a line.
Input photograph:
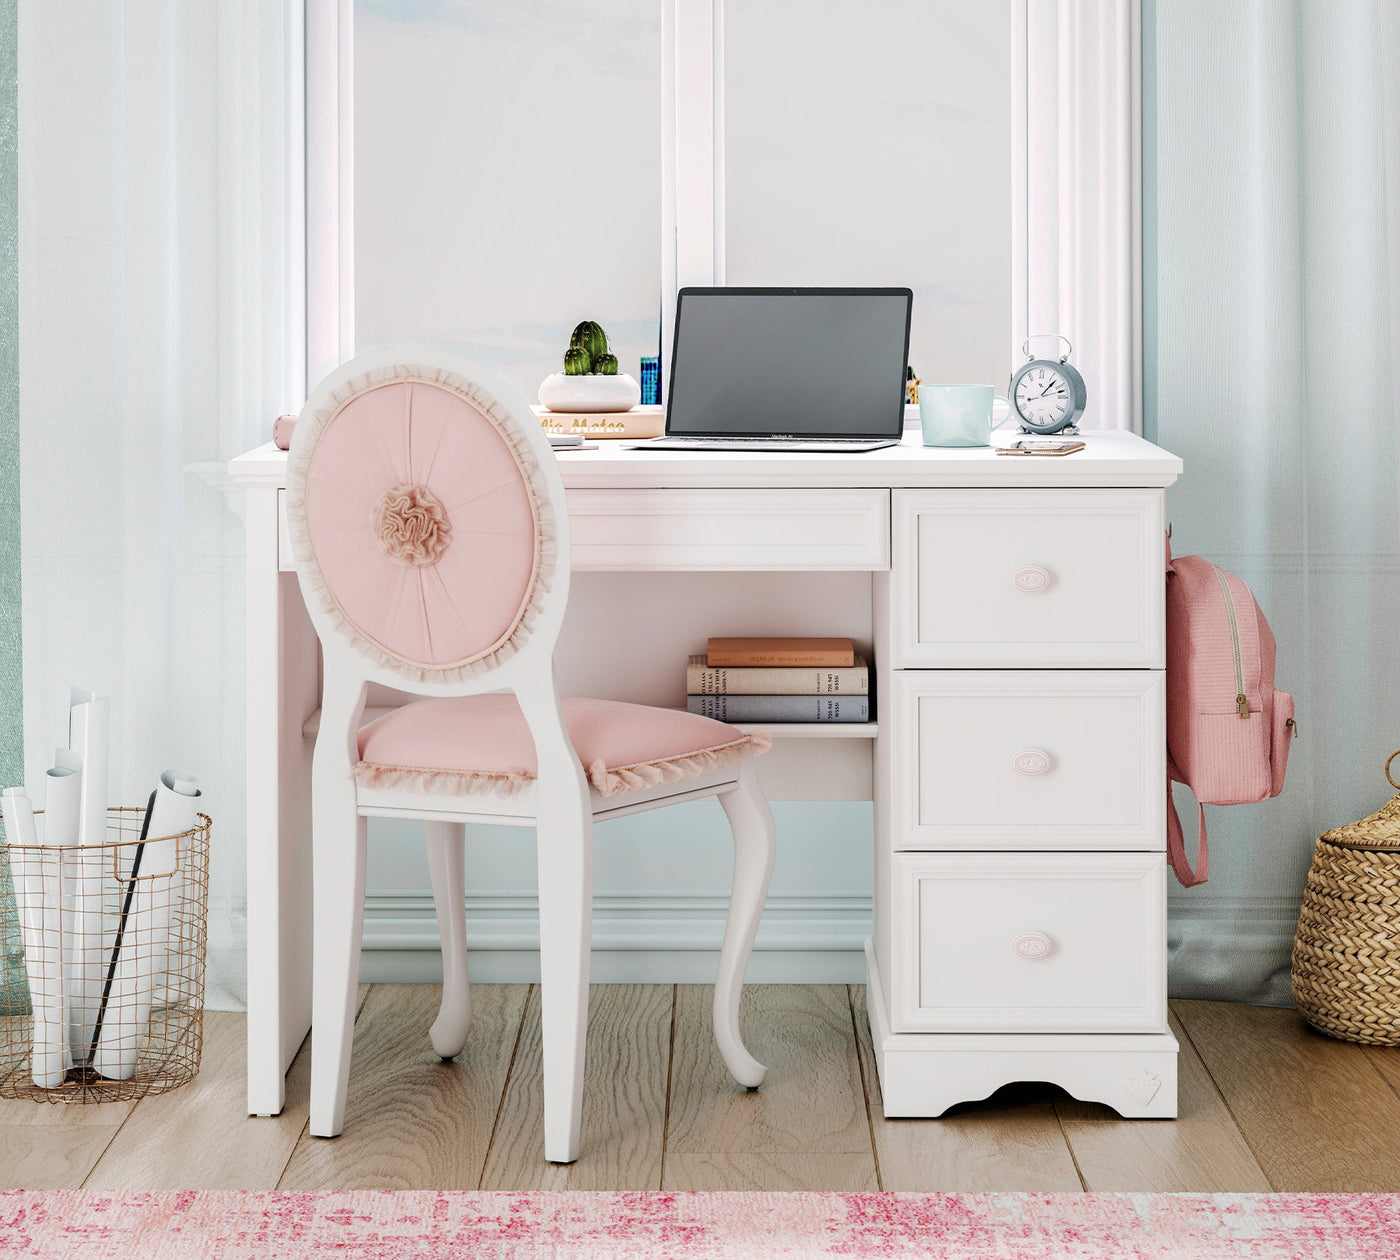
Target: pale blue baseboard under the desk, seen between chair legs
[643,937]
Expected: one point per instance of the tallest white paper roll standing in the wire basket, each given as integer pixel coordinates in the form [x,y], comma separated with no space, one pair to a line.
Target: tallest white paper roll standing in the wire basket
[85,943]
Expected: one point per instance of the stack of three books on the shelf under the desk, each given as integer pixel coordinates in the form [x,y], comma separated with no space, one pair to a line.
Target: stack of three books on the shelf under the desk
[780,681]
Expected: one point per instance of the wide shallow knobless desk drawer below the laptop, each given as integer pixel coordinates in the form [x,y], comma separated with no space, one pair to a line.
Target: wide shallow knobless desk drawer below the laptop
[730,530]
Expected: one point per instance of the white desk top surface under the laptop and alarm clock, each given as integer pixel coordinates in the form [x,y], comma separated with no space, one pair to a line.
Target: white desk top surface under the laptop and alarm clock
[1112,458]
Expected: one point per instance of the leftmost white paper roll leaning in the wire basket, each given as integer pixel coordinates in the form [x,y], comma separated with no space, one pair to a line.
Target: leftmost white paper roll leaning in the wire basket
[38,887]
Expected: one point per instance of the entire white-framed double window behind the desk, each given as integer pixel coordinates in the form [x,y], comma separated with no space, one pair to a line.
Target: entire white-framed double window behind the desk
[517,170]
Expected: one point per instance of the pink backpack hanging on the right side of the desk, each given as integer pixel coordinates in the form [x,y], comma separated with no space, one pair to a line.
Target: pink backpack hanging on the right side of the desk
[1228,729]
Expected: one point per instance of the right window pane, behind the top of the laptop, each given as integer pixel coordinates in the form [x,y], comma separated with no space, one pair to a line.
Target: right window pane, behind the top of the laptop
[871,145]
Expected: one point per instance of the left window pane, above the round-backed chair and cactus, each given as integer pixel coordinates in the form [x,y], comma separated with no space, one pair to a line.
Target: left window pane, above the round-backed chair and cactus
[507,174]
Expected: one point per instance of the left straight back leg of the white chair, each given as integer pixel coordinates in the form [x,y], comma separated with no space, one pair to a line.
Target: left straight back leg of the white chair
[338,930]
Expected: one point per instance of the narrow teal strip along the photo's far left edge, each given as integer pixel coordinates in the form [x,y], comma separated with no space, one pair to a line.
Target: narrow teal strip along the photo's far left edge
[12,726]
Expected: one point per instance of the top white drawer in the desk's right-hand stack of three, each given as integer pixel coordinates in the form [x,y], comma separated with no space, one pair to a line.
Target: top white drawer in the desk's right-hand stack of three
[1030,579]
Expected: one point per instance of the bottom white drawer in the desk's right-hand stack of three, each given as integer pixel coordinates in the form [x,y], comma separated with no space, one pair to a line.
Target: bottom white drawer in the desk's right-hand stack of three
[1032,943]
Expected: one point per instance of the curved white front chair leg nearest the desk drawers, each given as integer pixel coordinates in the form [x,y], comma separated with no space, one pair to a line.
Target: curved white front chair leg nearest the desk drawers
[755,845]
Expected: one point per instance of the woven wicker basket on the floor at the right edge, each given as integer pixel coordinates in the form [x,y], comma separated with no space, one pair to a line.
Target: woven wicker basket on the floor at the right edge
[1347,948]
